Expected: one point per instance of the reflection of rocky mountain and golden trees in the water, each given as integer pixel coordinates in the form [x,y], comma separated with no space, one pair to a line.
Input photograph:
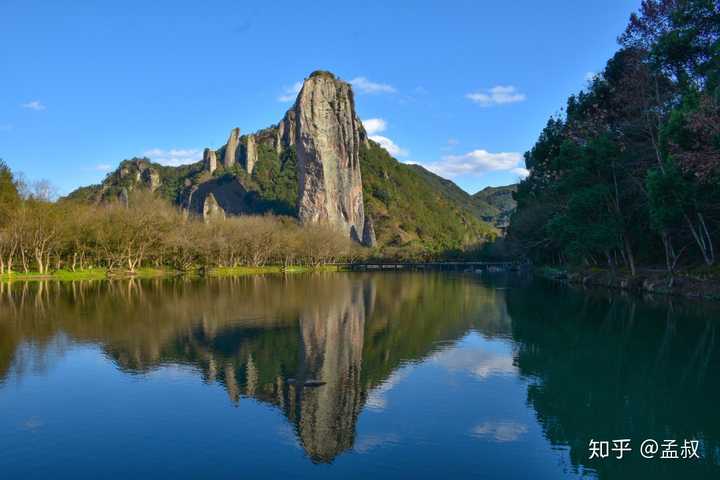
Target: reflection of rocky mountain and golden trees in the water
[318,347]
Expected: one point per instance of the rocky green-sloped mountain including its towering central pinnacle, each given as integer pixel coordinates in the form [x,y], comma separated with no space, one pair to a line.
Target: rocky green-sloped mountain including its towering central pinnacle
[318,165]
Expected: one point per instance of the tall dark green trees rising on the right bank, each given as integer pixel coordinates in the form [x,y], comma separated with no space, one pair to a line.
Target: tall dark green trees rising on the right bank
[629,175]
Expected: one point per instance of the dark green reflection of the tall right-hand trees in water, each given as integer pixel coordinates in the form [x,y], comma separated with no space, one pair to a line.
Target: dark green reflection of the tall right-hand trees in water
[610,366]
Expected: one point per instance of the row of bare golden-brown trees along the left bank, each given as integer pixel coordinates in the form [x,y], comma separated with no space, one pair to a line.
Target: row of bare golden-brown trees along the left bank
[38,235]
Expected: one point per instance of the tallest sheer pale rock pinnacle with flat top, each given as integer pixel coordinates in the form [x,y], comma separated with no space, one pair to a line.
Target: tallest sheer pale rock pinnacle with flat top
[327,137]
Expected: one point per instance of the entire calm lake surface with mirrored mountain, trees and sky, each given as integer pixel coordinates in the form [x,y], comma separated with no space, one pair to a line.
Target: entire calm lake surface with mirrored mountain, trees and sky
[425,376]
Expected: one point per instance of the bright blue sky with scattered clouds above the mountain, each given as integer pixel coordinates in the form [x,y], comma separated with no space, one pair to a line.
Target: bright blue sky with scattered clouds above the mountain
[462,87]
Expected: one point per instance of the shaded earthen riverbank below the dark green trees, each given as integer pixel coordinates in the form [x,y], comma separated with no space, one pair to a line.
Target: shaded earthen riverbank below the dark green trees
[700,283]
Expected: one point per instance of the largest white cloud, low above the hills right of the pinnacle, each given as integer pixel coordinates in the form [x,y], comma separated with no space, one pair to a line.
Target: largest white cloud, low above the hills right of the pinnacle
[477,162]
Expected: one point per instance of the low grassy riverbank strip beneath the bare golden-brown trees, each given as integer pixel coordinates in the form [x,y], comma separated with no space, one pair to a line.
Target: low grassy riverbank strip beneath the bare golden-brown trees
[103,274]
